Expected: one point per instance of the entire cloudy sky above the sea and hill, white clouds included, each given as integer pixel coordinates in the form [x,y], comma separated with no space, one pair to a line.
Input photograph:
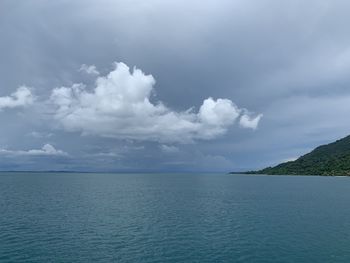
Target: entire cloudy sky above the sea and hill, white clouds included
[170,86]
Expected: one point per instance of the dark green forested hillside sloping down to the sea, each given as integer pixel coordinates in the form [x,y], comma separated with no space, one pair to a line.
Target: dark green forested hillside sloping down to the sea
[329,160]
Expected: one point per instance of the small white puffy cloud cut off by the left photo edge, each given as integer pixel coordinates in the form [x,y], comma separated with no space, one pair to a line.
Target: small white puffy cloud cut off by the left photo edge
[20,98]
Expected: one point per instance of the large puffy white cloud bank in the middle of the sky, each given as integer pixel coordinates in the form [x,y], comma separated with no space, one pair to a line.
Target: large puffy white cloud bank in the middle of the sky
[120,107]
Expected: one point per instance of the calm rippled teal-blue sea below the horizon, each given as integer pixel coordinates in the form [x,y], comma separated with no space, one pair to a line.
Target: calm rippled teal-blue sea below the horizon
[173,218]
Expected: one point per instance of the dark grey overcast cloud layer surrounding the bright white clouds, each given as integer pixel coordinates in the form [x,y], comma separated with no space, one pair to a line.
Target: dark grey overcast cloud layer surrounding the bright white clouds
[286,59]
